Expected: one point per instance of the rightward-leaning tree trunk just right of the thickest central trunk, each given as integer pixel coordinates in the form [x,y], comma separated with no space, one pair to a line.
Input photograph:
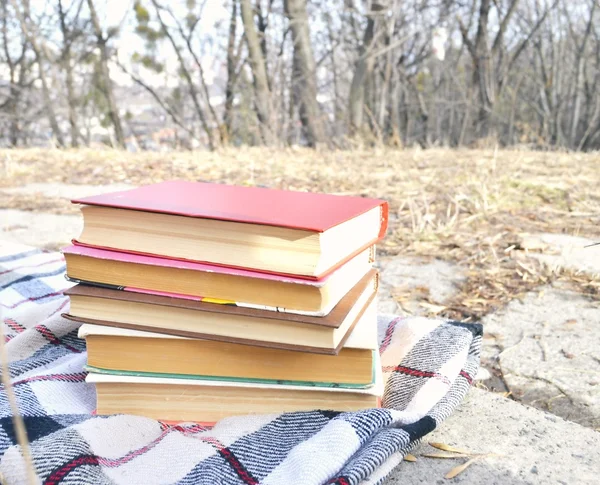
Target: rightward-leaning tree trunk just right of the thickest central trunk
[363,69]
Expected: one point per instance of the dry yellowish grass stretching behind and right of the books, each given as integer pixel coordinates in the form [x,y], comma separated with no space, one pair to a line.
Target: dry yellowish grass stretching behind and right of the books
[474,207]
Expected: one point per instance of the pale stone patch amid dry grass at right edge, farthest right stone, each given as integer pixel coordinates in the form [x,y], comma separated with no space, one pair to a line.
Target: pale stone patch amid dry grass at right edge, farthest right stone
[562,250]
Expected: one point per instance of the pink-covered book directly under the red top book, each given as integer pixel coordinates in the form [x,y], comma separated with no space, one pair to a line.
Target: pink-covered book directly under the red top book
[185,279]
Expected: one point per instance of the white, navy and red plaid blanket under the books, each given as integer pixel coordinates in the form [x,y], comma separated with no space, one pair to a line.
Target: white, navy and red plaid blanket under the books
[429,366]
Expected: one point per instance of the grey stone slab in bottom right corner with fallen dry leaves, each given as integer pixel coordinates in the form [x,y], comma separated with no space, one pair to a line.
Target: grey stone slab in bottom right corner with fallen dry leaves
[536,447]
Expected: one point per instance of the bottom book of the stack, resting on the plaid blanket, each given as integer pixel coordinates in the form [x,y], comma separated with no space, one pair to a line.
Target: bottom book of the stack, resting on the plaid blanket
[209,401]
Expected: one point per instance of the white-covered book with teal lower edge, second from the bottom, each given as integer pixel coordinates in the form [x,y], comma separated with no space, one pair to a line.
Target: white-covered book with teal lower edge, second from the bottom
[113,350]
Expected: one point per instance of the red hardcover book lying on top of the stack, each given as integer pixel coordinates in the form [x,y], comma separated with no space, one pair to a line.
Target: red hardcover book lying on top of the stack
[274,231]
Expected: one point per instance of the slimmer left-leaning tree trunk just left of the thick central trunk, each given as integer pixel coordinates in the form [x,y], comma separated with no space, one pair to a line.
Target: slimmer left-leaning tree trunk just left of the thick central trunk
[262,92]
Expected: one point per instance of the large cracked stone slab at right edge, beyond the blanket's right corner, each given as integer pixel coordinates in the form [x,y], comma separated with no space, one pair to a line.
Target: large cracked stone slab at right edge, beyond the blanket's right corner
[547,348]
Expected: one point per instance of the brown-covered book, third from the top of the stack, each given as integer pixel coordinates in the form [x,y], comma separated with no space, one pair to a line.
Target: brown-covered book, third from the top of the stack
[198,319]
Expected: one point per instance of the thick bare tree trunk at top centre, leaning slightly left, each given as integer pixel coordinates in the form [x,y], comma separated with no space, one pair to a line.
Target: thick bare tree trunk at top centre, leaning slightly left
[310,114]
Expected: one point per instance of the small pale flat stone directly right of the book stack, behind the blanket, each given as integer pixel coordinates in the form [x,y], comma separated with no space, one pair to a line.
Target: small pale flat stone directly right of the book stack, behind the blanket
[417,278]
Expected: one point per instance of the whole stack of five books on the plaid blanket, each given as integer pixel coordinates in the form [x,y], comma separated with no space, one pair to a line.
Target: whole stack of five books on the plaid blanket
[200,301]
